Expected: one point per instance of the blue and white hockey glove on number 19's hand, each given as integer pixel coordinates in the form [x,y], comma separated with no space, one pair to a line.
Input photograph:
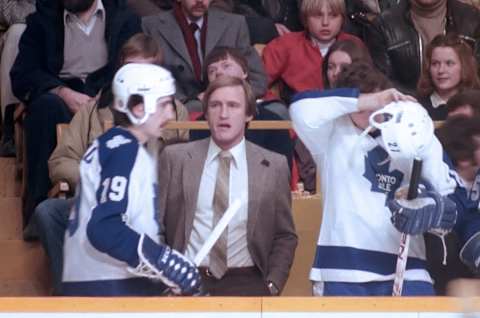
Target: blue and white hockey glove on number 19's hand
[166,264]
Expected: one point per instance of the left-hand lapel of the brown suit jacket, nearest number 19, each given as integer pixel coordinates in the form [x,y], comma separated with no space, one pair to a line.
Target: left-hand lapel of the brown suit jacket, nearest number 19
[192,173]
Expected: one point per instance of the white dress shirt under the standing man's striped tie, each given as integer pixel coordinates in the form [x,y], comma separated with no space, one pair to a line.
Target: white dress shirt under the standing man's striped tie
[237,251]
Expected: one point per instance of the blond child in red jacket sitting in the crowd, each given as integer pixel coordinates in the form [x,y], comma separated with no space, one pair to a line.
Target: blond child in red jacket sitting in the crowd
[296,58]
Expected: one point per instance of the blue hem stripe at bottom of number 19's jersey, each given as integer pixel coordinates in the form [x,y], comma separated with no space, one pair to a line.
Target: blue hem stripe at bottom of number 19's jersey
[117,287]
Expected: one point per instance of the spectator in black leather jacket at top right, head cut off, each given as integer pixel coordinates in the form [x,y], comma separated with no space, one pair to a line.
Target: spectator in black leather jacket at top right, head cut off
[401,35]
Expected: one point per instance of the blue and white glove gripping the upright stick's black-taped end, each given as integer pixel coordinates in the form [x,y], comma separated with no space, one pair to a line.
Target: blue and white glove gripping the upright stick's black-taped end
[429,212]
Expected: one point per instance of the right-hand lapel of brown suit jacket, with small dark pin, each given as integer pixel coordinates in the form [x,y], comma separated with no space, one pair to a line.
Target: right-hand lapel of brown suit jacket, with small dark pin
[257,167]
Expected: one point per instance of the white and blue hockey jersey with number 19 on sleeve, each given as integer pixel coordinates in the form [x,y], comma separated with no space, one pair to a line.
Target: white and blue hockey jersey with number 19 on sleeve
[116,201]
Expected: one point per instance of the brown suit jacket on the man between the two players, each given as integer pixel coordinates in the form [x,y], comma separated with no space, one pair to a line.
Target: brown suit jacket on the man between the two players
[271,234]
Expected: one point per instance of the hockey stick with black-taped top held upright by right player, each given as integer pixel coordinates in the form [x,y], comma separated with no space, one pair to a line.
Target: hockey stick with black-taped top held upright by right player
[405,238]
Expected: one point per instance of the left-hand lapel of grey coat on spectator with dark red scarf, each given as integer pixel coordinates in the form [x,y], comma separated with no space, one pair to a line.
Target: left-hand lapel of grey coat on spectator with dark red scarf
[171,32]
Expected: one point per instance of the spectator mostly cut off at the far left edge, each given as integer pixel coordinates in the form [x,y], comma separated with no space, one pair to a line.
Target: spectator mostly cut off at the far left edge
[12,25]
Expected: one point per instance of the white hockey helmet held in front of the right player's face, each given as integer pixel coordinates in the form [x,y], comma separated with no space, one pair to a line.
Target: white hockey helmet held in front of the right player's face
[406,128]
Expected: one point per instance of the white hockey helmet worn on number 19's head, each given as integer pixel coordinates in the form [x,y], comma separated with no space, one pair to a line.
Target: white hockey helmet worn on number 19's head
[147,80]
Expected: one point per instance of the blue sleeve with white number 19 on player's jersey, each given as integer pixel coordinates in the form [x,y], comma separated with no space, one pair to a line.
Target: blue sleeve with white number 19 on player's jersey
[117,152]
